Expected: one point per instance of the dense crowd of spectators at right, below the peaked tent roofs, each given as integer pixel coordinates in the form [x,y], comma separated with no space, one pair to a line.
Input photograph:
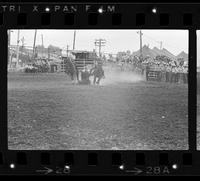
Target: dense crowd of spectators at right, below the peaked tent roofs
[160,68]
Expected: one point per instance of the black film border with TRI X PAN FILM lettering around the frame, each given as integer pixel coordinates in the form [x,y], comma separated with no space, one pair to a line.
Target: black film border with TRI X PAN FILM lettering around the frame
[178,16]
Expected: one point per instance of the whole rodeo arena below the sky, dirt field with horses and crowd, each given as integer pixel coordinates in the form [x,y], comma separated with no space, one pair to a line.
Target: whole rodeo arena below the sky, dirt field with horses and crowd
[69,99]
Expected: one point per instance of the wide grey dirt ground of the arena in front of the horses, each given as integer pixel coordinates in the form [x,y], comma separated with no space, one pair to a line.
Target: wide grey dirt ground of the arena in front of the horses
[47,111]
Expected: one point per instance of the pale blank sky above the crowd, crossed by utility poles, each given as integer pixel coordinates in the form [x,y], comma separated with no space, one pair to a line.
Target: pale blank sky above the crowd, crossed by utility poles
[116,40]
